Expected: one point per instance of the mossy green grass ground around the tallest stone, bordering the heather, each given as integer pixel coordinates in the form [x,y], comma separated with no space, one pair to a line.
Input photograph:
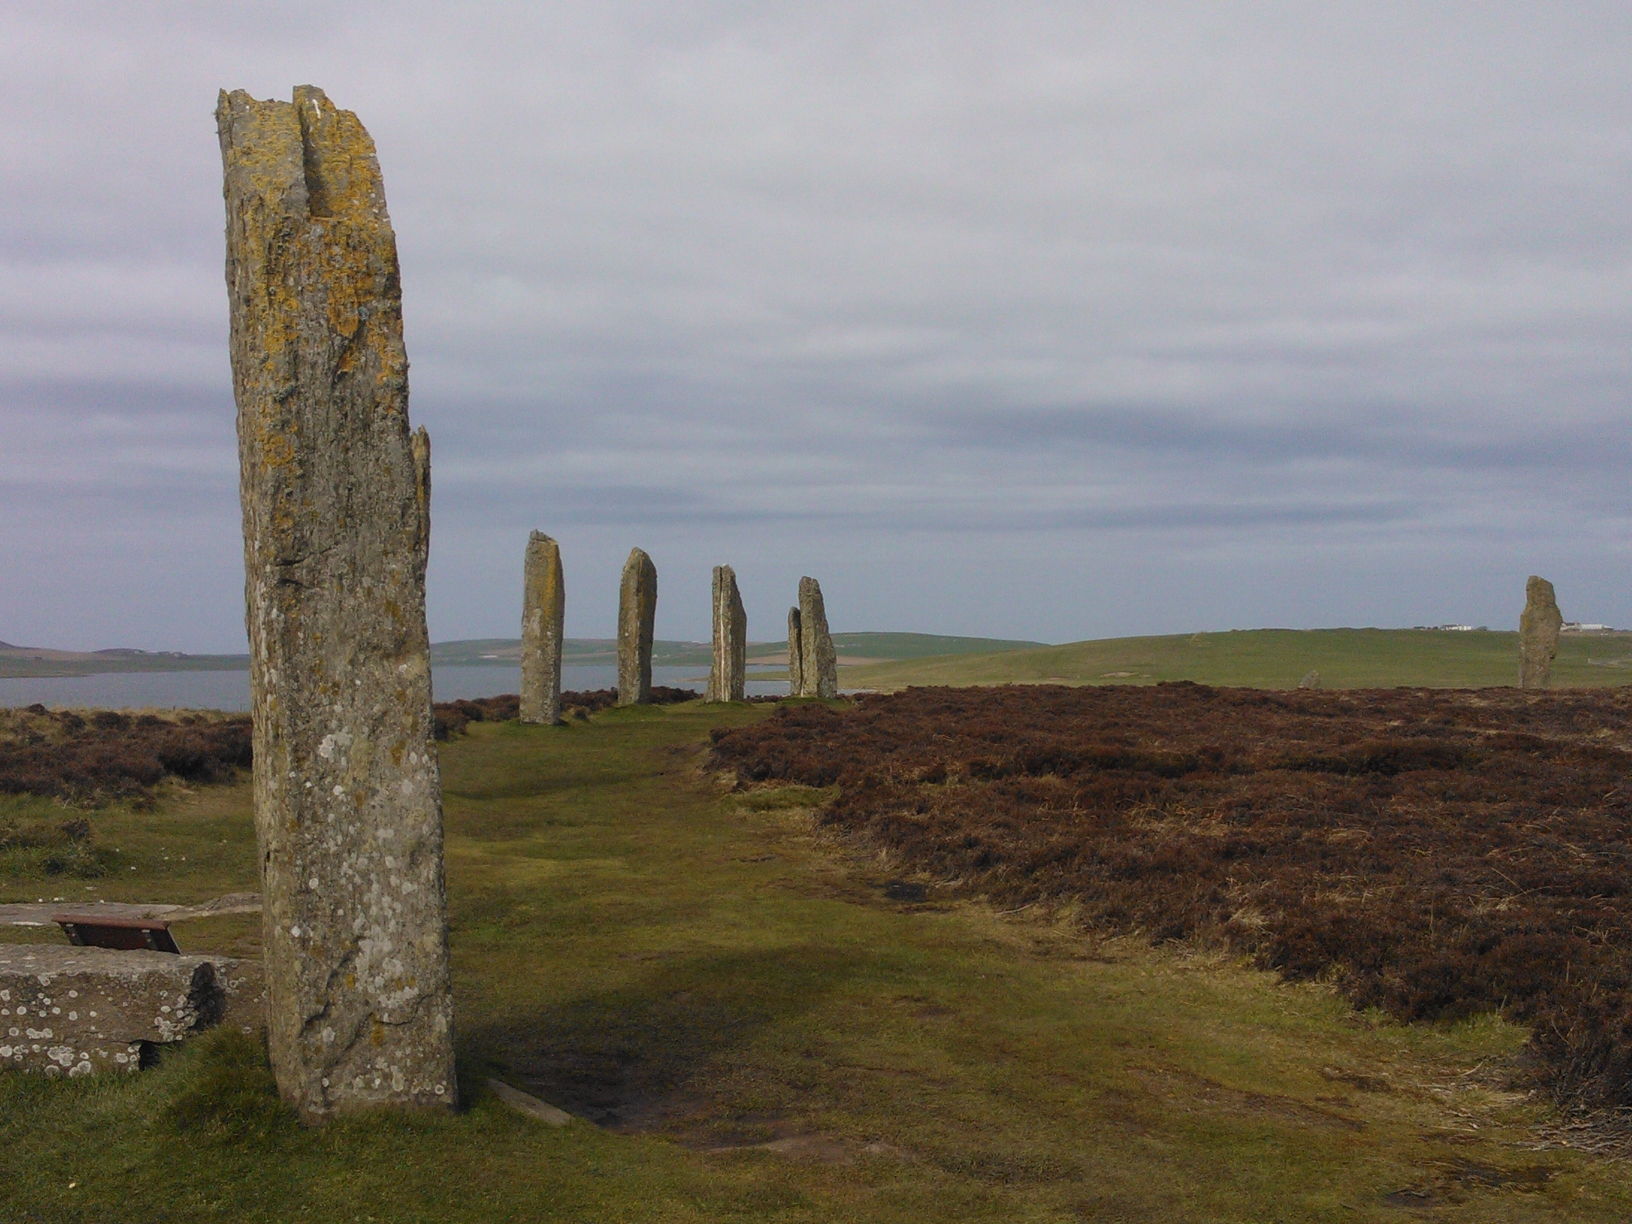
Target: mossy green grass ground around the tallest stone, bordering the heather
[765,1036]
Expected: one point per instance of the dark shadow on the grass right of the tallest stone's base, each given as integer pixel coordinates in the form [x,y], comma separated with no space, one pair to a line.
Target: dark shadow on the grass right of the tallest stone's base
[654,1055]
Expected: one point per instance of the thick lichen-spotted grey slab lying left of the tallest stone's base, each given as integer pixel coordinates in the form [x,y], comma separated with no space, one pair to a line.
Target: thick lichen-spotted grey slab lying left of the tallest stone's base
[79,1011]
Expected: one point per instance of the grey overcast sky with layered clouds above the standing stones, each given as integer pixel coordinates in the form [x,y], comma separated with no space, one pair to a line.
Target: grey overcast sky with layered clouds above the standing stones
[1047,321]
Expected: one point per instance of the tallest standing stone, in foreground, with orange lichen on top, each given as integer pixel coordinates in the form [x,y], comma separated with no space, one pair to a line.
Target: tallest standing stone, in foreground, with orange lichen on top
[337,530]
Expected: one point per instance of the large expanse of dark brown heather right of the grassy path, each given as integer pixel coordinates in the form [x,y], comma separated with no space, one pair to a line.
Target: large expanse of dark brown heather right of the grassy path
[1430,853]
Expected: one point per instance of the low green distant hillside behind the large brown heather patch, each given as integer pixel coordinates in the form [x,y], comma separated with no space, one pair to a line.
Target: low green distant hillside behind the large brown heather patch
[1272,659]
